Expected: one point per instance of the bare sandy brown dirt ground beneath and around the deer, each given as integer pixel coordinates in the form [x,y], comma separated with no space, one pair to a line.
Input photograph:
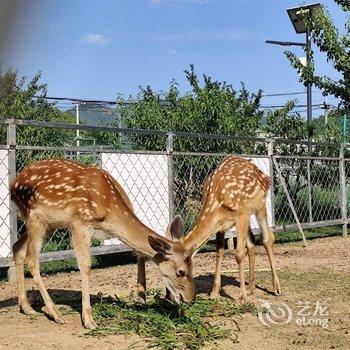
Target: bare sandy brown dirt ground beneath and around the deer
[318,275]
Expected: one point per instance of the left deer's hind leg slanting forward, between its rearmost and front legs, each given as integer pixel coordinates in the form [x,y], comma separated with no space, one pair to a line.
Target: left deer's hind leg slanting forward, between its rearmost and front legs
[36,234]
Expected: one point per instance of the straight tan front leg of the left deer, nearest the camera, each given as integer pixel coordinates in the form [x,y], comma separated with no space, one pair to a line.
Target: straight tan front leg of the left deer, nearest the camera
[81,243]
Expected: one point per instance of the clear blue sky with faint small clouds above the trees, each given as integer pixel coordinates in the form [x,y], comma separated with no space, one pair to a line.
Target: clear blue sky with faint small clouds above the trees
[96,49]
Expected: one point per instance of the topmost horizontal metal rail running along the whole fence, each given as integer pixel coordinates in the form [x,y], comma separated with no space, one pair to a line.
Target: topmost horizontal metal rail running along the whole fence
[44,124]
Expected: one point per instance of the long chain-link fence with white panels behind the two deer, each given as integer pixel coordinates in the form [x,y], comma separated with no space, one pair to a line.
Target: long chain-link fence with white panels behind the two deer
[163,173]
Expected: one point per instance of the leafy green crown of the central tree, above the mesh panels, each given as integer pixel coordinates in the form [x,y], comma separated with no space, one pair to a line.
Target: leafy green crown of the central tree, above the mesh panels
[214,108]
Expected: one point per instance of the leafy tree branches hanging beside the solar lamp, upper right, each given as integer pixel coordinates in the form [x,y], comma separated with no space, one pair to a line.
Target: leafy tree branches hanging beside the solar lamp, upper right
[336,47]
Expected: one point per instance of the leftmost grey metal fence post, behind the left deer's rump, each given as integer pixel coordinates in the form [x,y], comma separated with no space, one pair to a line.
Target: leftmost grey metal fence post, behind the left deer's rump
[11,144]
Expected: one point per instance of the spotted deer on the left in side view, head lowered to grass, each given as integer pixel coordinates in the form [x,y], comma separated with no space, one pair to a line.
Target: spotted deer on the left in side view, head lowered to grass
[58,193]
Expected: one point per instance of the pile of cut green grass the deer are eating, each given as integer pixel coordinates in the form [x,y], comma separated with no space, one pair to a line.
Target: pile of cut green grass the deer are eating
[167,325]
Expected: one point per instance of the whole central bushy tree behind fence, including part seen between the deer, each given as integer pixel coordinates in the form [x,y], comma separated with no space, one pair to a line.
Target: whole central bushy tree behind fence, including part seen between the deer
[211,107]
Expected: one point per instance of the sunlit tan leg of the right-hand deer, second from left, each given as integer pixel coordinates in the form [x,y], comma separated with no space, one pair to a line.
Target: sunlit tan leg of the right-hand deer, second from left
[242,225]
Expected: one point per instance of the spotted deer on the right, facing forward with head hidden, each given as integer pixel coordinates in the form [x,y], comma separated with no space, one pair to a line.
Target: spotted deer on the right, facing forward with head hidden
[231,193]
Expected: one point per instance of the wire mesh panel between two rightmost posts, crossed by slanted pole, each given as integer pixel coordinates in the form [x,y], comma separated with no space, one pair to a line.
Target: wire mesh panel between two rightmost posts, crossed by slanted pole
[324,203]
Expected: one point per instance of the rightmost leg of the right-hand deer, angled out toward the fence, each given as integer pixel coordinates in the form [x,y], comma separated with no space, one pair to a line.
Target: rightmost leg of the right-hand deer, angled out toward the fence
[269,242]
